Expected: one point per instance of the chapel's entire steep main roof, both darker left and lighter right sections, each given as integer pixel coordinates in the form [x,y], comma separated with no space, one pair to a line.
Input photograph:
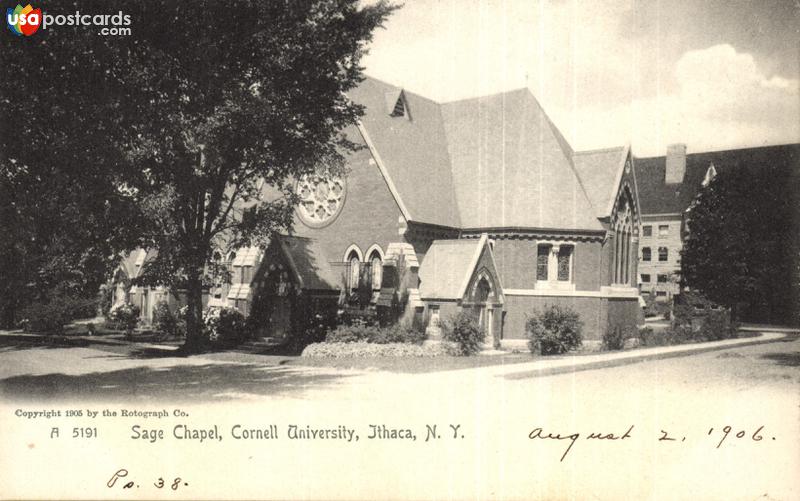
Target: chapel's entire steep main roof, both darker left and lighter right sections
[491,161]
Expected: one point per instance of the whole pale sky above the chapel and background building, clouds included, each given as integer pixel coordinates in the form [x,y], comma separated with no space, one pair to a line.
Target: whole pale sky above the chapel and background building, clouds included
[713,74]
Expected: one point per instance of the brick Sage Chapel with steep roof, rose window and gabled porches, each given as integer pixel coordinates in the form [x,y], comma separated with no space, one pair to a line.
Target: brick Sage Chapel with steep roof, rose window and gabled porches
[478,204]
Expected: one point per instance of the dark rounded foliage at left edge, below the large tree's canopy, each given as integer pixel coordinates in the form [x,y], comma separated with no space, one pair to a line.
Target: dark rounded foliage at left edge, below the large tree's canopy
[60,233]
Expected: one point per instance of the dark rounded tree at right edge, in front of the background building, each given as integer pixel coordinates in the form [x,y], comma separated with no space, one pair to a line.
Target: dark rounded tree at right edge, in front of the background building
[742,249]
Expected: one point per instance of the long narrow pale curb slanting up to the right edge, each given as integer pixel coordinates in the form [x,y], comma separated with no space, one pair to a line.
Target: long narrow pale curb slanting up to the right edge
[644,357]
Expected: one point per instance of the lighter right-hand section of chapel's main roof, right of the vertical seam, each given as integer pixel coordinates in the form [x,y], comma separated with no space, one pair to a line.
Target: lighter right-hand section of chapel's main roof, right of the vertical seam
[511,167]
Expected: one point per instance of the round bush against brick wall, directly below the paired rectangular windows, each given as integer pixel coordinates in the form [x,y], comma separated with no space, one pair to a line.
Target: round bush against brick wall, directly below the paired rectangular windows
[554,331]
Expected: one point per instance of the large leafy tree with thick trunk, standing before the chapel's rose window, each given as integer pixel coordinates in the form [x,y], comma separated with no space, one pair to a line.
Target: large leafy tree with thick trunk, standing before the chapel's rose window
[202,117]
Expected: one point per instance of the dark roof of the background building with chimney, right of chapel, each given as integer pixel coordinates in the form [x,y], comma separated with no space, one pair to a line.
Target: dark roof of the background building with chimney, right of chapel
[658,197]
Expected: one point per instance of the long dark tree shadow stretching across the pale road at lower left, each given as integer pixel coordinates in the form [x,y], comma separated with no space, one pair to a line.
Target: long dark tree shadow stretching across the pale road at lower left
[180,383]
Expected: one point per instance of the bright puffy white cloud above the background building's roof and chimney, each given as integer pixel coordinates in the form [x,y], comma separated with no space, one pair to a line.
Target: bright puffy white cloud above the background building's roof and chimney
[722,101]
